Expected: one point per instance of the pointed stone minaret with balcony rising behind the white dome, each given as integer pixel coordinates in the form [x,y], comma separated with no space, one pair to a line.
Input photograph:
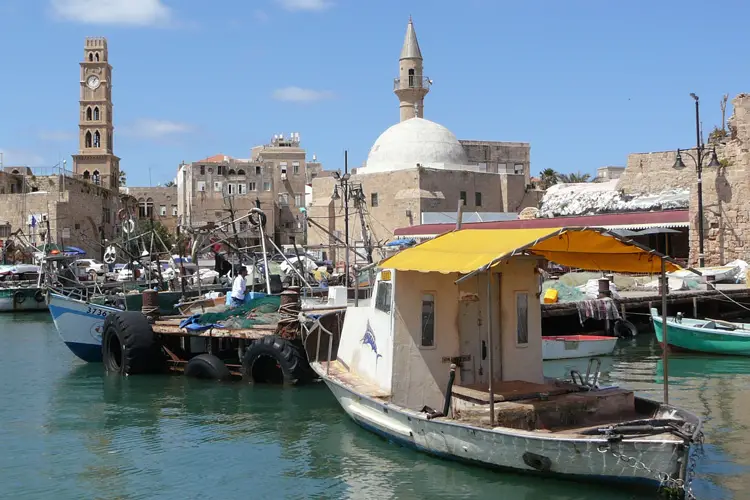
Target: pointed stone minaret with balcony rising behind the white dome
[411,86]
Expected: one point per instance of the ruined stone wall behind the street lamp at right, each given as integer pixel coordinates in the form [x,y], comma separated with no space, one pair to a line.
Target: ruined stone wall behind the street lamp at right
[726,189]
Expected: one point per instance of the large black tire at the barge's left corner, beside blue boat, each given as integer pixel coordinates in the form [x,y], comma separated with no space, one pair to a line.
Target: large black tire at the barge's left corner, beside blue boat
[129,346]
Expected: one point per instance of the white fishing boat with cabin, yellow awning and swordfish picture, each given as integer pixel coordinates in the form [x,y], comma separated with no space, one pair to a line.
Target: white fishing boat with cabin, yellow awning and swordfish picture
[423,365]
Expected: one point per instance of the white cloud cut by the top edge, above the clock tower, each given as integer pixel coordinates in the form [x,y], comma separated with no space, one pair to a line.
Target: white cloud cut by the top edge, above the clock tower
[126,12]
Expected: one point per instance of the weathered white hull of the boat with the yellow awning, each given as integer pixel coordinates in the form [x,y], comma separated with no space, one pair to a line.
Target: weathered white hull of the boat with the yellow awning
[508,449]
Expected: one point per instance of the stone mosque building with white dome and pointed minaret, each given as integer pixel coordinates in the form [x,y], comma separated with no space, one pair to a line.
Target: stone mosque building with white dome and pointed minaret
[418,166]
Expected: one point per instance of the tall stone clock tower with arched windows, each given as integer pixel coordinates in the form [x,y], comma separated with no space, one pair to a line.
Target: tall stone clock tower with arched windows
[95,161]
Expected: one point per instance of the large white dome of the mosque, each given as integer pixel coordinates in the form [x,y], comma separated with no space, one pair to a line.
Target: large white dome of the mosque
[415,141]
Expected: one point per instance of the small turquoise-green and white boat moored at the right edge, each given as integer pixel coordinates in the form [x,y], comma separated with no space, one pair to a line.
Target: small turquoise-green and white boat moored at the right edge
[703,335]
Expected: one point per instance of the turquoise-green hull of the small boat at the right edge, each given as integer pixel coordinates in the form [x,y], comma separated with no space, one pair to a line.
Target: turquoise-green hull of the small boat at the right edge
[689,338]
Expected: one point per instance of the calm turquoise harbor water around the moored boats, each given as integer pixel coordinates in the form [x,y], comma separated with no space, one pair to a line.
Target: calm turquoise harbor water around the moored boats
[68,431]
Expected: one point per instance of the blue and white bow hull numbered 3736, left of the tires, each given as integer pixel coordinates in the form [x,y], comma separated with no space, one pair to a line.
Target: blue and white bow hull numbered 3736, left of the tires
[80,325]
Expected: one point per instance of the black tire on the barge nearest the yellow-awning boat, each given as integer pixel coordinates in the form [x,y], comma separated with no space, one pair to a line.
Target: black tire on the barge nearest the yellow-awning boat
[276,361]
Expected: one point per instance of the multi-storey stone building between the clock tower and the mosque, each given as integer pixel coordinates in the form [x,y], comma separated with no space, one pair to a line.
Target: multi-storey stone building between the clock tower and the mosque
[274,178]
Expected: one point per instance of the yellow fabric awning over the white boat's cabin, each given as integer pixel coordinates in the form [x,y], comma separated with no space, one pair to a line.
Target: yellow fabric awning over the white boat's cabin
[469,250]
